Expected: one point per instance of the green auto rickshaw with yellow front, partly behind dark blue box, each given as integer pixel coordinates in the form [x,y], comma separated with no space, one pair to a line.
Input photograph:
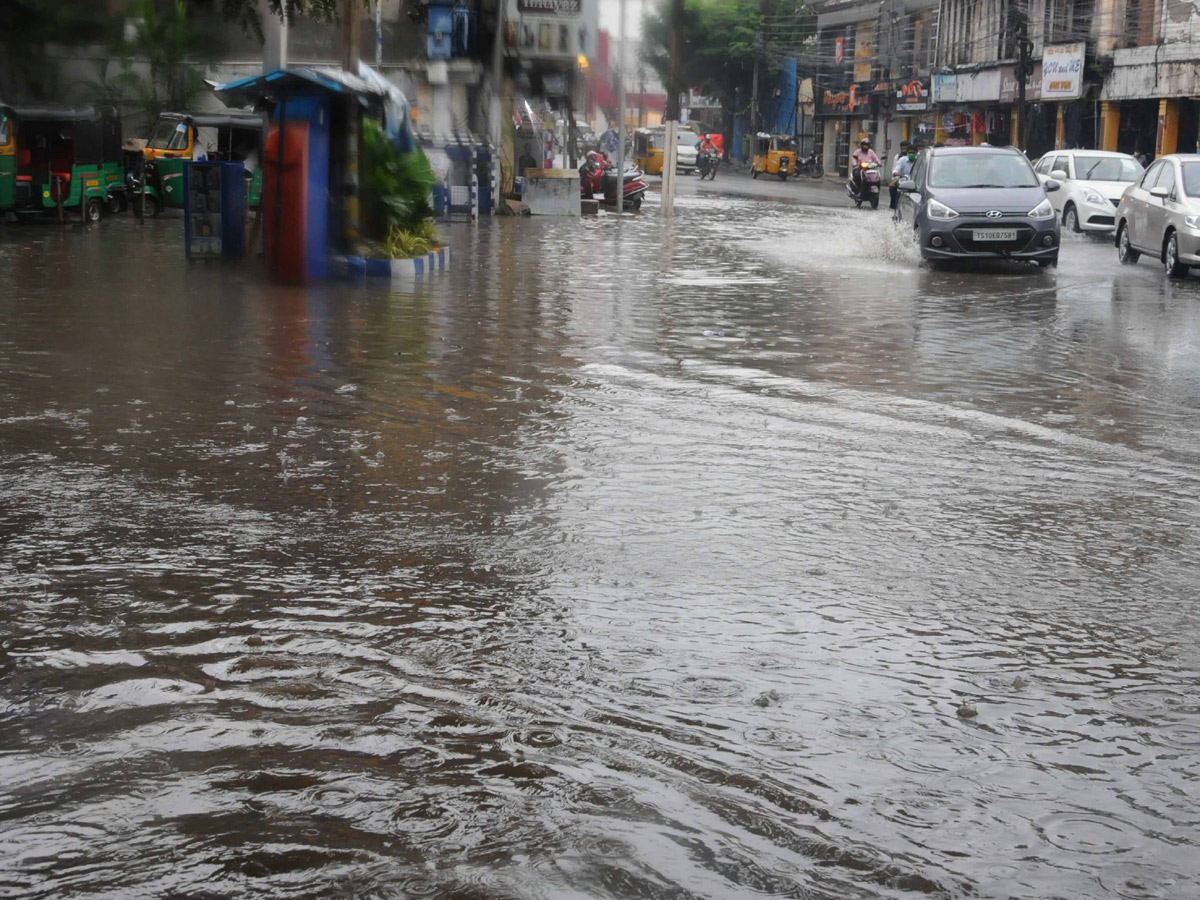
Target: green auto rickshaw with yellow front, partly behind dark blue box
[181,137]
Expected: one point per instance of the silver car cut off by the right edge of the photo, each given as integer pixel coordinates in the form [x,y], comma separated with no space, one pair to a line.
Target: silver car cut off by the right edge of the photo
[1160,215]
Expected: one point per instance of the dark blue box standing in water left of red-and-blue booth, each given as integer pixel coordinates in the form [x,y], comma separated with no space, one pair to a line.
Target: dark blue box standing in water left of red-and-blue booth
[215,211]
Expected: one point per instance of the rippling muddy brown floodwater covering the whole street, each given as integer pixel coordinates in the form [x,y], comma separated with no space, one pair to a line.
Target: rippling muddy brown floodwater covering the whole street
[740,559]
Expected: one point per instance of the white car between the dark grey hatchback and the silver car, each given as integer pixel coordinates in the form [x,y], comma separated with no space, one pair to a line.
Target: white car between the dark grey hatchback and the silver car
[1093,183]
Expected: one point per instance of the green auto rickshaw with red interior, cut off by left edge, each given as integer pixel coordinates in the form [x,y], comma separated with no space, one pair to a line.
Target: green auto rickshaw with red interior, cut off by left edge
[61,157]
